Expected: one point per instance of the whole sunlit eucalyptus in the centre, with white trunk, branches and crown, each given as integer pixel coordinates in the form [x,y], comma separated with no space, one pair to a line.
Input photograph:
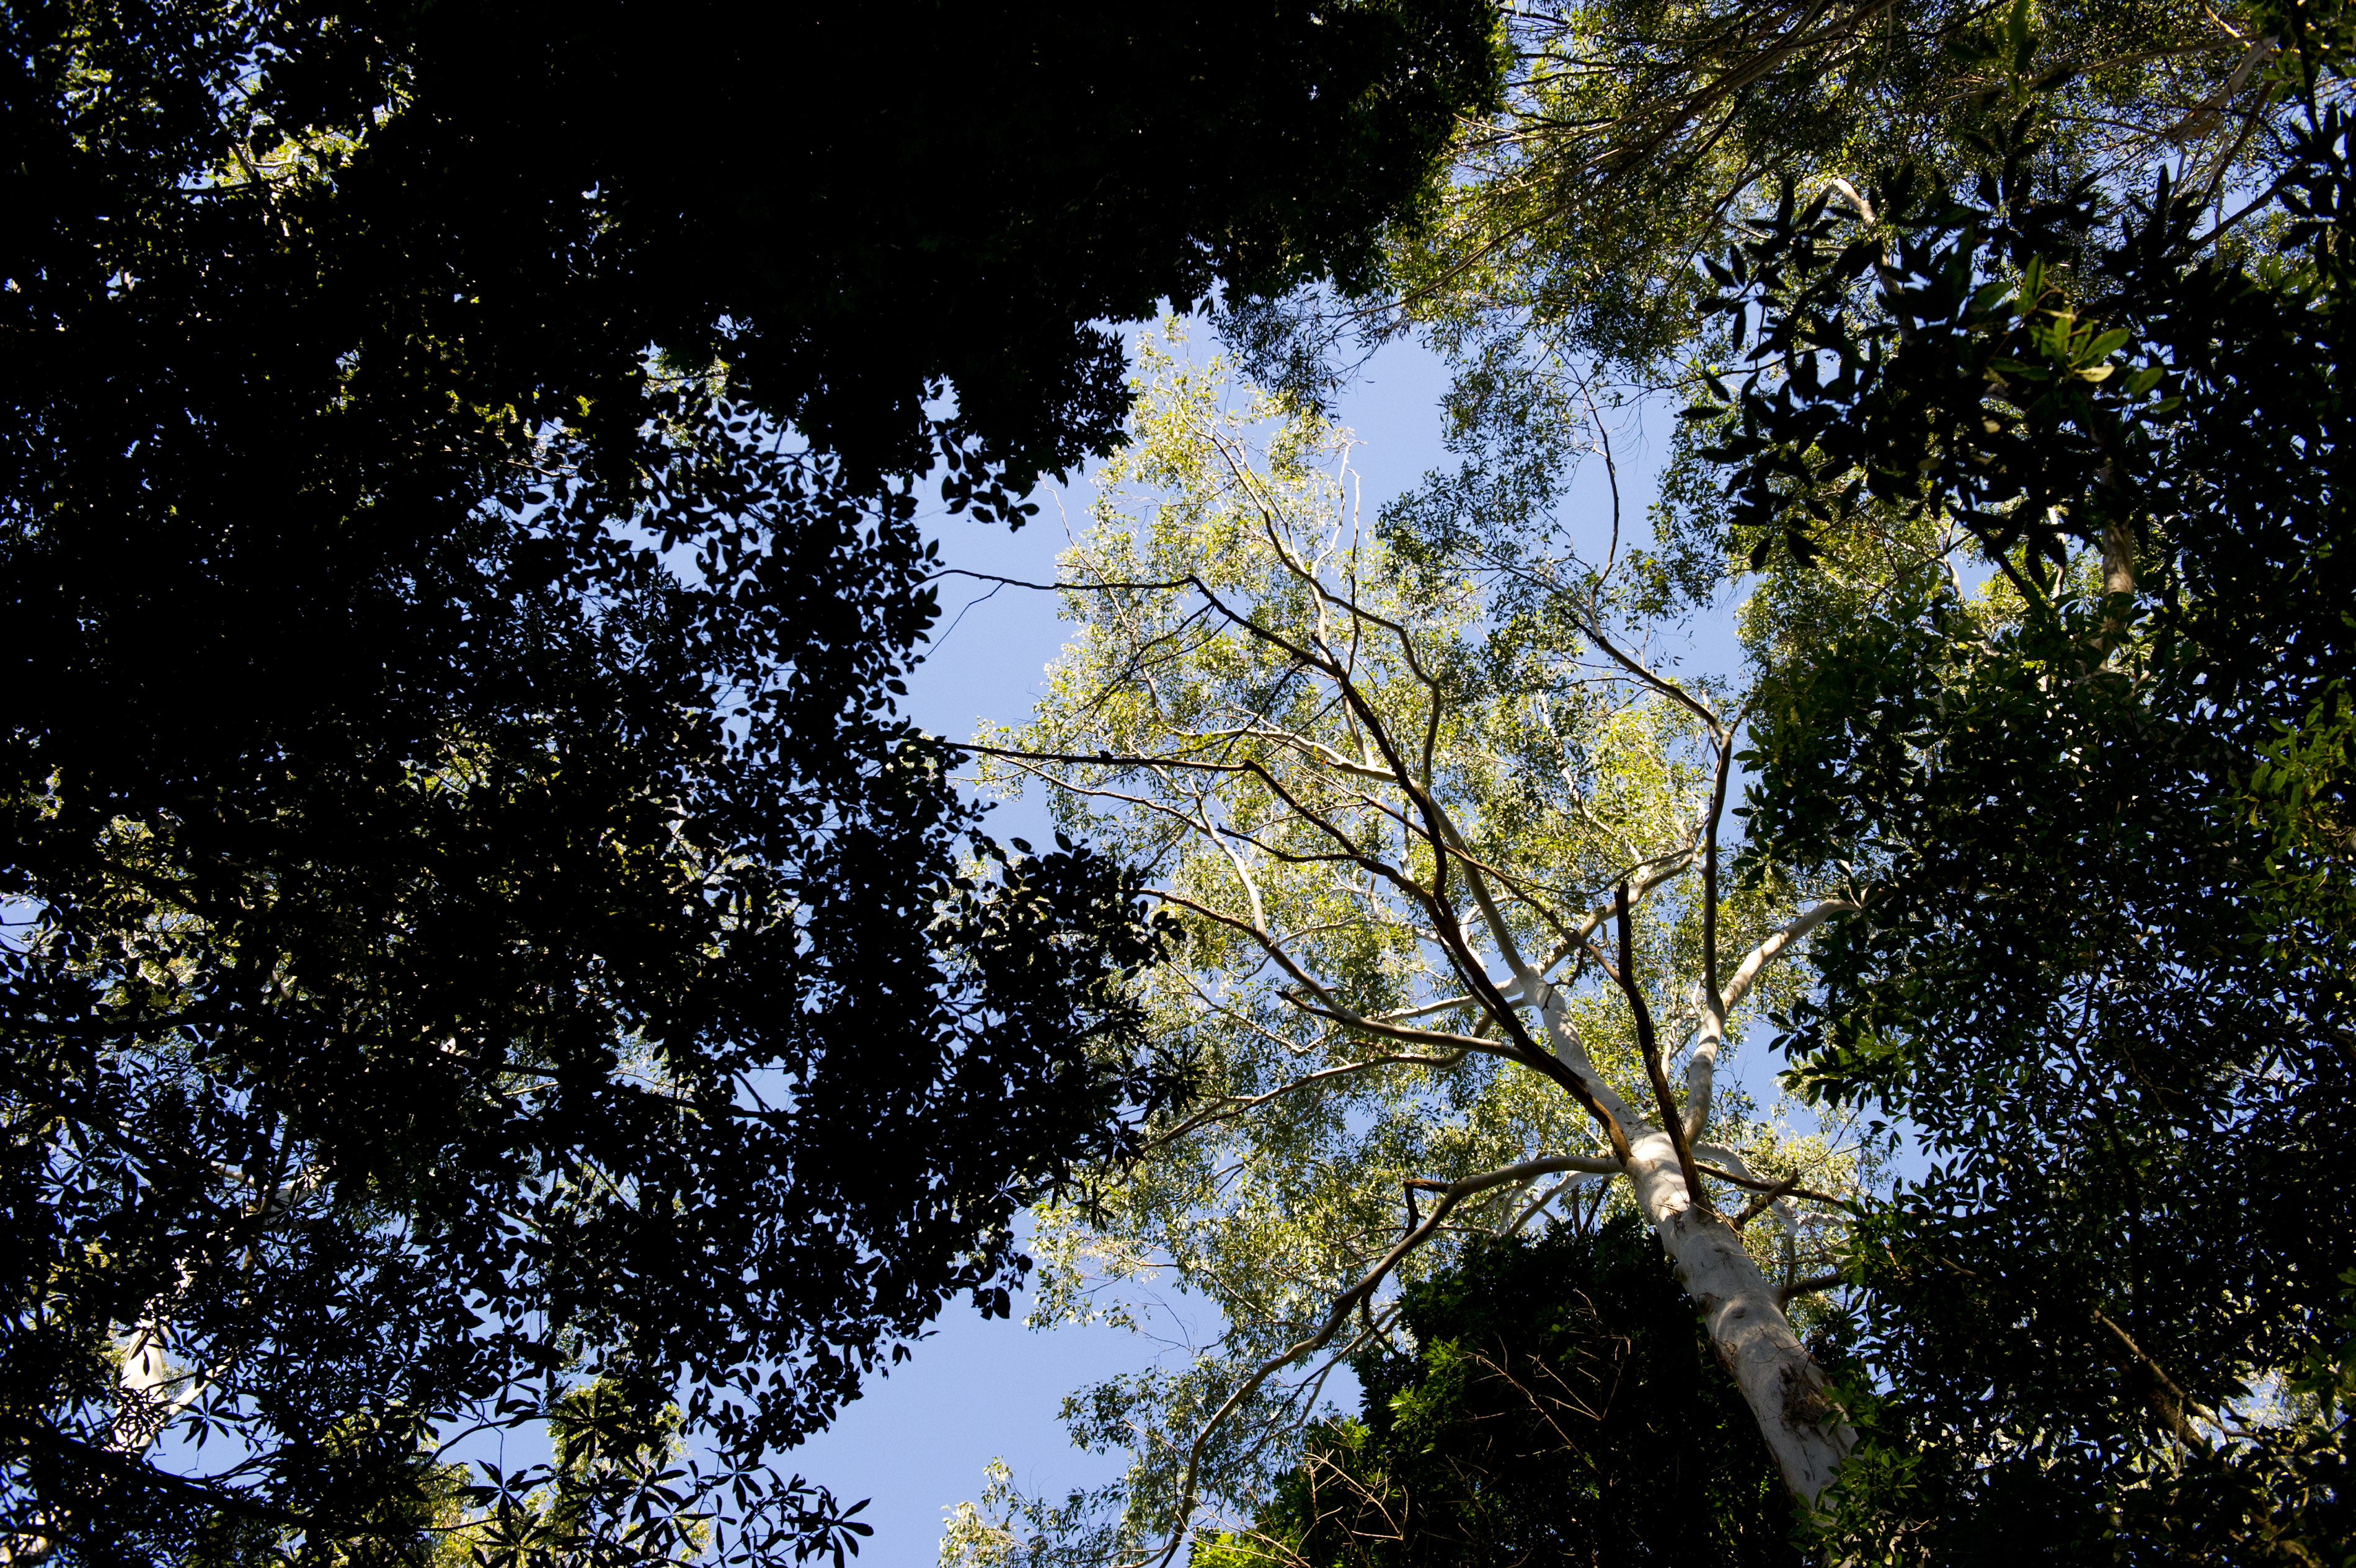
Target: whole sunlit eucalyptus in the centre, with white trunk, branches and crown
[1445,856]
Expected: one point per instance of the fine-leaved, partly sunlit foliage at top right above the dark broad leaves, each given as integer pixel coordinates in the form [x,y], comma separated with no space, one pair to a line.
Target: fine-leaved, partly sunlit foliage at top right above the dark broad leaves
[1558,274]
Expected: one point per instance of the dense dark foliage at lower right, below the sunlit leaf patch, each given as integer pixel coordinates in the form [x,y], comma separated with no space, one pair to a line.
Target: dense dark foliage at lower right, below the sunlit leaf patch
[2119,1061]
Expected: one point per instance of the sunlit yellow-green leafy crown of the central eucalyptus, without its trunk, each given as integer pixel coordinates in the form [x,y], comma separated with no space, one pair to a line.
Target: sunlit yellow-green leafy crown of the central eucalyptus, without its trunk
[1311,731]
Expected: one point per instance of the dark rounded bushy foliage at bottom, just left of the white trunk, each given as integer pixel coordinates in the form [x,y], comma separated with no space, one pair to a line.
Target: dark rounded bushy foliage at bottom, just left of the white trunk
[1561,1407]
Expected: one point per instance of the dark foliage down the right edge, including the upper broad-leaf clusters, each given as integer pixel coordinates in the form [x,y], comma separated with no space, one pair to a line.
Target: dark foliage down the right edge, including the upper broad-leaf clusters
[2107,952]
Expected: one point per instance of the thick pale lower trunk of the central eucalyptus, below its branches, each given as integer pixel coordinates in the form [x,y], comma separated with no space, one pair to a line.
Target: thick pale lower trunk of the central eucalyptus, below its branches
[1749,1331]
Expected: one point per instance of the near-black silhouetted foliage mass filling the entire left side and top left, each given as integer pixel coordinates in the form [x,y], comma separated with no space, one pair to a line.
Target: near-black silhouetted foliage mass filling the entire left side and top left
[475,879]
